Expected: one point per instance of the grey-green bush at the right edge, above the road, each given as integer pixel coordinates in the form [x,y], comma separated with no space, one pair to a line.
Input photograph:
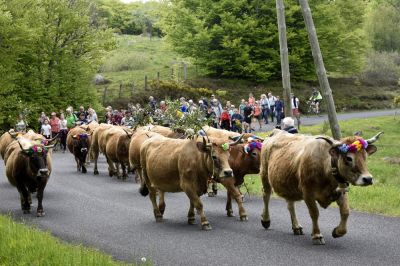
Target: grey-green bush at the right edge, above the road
[381,68]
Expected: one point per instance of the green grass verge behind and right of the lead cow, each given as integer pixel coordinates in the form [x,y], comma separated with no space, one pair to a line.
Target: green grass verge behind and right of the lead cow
[384,196]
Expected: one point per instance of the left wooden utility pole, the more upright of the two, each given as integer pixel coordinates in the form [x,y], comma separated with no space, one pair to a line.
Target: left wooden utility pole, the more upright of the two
[280,10]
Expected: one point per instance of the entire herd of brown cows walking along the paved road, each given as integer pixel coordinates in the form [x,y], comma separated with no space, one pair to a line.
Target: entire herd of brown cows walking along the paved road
[296,167]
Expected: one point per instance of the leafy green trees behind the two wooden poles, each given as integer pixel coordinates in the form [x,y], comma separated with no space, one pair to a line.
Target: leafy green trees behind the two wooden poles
[234,38]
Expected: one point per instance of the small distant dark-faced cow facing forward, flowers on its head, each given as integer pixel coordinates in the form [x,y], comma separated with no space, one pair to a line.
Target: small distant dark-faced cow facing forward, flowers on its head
[78,144]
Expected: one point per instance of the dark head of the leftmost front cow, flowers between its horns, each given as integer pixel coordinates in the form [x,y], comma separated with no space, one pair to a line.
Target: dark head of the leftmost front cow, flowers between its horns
[37,153]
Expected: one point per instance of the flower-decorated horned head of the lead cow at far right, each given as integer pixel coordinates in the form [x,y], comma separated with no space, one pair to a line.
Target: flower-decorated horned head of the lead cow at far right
[351,157]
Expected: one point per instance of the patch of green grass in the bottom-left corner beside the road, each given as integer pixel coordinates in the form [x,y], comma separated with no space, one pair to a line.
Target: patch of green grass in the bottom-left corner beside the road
[22,245]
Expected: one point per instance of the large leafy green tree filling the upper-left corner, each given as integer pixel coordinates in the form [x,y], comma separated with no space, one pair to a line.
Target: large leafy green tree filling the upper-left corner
[50,50]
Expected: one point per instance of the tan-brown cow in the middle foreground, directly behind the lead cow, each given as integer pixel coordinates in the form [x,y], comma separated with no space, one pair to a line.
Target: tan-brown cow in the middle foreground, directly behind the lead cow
[176,165]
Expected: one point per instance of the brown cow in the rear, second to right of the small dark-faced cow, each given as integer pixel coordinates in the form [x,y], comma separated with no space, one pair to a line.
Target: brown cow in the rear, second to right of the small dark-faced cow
[117,149]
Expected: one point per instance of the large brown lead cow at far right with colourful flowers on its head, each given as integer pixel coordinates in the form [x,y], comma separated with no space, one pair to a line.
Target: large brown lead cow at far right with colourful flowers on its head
[313,169]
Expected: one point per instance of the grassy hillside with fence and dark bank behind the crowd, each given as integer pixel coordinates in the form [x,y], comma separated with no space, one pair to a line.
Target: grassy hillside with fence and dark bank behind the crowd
[136,57]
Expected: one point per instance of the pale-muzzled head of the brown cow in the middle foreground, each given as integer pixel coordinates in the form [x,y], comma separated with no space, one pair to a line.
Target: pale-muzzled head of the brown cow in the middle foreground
[218,152]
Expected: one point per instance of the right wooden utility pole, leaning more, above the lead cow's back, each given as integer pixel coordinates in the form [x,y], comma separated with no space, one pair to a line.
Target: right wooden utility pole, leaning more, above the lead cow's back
[320,69]
